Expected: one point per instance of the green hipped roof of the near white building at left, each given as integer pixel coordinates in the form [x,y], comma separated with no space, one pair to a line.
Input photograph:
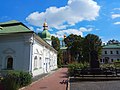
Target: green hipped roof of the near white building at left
[13,27]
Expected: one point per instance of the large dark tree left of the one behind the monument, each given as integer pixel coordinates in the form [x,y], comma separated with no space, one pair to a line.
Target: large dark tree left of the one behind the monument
[73,42]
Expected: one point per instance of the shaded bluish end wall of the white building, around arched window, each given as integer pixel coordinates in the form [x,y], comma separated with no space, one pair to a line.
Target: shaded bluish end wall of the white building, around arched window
[16,46]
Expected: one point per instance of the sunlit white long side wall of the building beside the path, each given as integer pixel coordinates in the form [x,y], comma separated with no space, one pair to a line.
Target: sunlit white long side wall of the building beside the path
[47,55]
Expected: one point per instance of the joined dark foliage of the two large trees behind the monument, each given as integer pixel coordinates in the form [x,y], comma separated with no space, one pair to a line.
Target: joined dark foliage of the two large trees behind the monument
[81,47]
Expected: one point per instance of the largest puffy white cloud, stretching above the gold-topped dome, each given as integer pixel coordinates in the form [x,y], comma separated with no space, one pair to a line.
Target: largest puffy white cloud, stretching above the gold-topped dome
[60,18]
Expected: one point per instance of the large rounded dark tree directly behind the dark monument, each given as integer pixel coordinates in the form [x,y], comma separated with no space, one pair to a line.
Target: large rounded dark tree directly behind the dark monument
[91,42]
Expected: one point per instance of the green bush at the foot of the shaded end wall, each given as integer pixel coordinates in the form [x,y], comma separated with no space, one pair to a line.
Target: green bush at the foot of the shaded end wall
[13,80]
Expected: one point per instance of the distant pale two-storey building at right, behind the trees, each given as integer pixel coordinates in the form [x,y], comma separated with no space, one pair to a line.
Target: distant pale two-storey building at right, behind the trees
[110,53]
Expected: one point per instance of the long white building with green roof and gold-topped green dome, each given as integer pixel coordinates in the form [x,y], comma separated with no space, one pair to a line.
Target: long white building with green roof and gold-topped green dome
[22,49]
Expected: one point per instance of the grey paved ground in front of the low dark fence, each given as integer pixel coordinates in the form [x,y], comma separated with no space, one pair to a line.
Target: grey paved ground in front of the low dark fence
[95,85]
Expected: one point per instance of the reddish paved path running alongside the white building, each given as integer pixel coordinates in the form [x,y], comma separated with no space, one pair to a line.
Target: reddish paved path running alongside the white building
[55,81]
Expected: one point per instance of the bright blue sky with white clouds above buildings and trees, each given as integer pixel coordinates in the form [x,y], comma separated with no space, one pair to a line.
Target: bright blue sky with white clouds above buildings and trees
[81,17]
